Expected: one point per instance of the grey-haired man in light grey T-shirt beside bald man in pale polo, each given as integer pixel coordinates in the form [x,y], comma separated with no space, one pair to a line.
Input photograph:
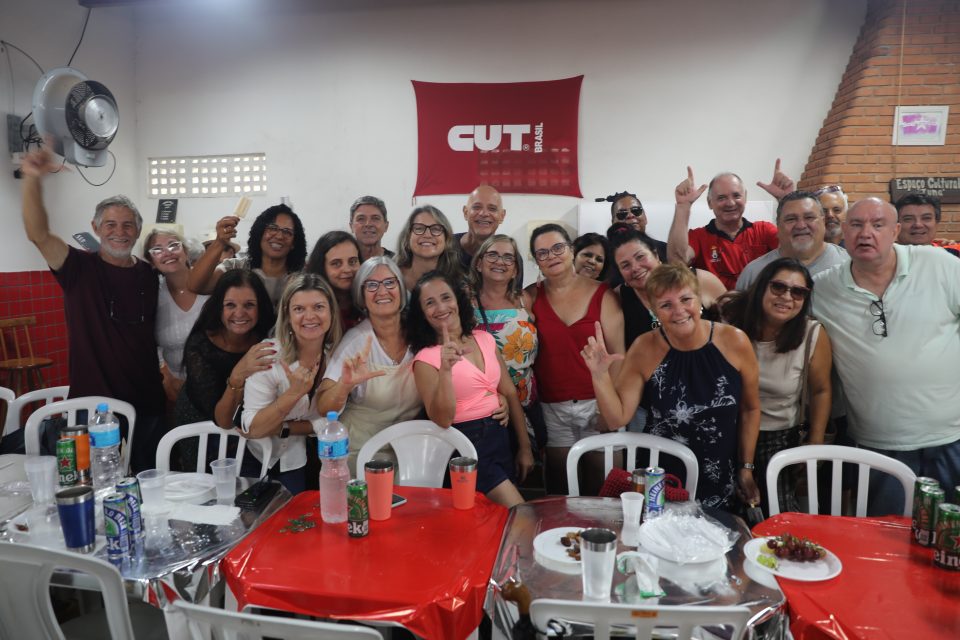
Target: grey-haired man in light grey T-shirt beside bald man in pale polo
[800,231]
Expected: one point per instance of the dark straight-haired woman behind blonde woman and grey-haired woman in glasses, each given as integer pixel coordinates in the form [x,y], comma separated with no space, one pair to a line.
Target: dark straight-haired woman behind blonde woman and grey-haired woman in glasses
[336,257]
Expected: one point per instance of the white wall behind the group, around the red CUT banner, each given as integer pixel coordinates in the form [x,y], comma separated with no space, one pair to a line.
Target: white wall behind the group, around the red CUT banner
[327,95]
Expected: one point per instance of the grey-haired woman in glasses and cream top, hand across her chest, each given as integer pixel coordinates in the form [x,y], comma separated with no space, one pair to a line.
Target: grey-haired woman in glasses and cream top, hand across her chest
[369,378]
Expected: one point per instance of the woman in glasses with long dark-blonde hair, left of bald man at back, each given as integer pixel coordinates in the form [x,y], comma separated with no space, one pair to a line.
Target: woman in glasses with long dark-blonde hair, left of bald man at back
[426,245]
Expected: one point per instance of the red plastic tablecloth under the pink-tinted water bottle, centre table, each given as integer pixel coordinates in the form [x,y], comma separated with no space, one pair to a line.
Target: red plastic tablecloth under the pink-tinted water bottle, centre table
[427,567]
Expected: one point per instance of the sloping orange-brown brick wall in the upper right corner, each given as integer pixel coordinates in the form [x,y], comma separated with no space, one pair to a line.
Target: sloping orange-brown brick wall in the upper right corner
[854,145]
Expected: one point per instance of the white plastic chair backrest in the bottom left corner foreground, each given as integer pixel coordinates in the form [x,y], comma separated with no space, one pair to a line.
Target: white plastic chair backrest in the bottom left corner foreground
[25,608]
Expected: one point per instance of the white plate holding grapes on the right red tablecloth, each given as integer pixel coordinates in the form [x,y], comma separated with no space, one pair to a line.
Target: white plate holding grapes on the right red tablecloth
[787,556]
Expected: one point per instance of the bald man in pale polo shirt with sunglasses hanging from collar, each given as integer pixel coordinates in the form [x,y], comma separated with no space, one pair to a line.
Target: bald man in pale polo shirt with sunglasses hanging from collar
[893,315]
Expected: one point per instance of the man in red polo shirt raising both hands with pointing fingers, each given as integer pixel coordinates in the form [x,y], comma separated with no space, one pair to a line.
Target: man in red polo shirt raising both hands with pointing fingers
[730,241]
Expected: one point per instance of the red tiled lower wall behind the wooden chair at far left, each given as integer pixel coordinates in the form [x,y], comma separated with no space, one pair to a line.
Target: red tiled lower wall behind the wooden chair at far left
[36,293]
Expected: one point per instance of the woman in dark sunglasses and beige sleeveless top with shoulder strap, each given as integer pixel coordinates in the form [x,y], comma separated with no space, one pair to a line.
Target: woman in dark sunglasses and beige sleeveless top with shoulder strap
[795,359]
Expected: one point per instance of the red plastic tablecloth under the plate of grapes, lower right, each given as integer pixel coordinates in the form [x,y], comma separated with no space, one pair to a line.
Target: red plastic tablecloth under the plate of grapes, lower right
[888,587]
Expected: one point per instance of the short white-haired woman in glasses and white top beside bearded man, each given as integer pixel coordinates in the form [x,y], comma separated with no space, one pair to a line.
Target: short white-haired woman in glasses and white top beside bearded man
[177,306]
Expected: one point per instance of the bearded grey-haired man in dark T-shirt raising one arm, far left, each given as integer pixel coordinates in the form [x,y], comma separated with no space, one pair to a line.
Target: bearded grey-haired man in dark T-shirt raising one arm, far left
[110,303]
